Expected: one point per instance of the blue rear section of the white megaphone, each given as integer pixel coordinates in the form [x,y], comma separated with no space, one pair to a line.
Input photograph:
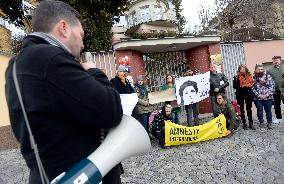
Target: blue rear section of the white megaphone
[85,172]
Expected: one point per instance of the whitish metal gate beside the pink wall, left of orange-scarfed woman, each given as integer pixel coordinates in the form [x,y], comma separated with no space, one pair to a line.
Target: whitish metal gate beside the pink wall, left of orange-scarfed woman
[233,56]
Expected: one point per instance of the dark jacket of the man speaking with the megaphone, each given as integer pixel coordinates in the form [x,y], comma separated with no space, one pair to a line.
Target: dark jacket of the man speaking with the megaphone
[67,106]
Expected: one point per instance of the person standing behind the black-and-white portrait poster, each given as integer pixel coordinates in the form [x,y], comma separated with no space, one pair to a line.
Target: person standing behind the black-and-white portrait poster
[192,110]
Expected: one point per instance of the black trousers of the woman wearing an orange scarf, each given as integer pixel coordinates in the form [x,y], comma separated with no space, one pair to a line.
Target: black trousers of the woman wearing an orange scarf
[248,101]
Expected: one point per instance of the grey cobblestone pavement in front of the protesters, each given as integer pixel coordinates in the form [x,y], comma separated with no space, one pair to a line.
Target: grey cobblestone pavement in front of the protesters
[250,156]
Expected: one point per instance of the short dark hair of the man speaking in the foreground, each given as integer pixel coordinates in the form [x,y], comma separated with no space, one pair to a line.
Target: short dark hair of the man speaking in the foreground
[49,12]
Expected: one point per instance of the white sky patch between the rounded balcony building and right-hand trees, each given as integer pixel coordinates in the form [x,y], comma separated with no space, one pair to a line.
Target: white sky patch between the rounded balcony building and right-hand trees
[191,8]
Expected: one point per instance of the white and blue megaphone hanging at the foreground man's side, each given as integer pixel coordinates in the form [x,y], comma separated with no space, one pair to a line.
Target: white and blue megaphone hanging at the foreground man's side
[129,138]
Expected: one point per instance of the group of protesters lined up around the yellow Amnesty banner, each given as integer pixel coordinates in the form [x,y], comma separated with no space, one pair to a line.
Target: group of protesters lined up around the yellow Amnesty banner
[261,88]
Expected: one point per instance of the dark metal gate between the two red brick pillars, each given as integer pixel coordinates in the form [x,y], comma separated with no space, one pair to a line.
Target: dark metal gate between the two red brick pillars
[158,65]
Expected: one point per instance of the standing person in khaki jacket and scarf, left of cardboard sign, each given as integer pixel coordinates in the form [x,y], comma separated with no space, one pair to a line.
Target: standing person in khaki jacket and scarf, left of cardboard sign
[144,108]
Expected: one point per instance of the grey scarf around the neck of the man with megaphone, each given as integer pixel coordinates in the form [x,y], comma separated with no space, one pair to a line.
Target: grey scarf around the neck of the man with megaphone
[52,40]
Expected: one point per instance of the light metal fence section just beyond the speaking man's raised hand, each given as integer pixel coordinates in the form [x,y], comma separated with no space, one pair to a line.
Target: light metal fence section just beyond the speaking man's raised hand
[102,60]
